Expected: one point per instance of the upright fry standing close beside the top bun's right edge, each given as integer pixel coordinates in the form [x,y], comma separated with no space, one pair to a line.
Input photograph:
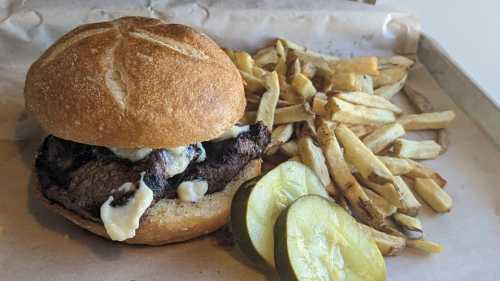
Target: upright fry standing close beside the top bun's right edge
[269,100]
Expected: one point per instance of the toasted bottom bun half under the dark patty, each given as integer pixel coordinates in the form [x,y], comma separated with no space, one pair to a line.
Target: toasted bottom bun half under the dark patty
[169,220]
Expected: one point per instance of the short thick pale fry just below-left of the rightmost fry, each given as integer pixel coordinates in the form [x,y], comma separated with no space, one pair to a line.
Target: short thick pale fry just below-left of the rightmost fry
[382,137]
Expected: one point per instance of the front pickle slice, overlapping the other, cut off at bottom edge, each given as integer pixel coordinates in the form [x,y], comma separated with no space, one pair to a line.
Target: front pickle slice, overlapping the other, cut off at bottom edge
[315,239]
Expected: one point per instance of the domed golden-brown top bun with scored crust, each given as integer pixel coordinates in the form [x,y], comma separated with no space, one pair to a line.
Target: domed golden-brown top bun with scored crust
[135,82]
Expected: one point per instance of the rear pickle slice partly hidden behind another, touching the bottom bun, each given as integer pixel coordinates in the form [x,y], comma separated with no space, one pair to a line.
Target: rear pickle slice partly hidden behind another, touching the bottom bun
[258,203]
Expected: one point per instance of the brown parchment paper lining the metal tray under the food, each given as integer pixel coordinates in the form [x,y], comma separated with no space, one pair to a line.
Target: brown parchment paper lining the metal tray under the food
[38,245]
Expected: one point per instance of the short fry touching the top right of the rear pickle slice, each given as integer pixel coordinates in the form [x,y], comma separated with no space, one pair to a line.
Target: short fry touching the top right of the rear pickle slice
[313,157]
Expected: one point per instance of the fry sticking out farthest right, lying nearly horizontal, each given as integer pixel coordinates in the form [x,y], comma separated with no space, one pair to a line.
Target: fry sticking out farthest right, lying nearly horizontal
[427,121]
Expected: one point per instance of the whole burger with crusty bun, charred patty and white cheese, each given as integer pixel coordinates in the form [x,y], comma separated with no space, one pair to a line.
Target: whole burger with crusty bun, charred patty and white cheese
[143,142]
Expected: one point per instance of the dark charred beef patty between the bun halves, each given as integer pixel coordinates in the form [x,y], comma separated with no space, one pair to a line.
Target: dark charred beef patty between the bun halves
[82,177]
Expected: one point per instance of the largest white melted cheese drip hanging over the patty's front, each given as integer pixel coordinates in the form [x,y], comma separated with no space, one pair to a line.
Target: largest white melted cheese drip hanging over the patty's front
[121,222]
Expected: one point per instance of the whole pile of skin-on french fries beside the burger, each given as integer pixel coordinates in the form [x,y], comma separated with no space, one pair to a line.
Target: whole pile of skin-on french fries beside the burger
[335,116]
